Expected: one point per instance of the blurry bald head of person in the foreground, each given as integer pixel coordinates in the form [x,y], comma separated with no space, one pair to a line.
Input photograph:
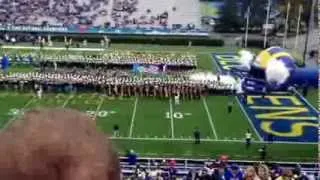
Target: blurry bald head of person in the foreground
[56,144]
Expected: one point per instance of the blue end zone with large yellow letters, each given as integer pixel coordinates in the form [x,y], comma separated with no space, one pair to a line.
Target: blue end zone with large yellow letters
[285,118]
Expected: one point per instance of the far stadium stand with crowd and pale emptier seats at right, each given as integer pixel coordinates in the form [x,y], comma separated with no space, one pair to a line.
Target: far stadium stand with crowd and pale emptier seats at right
[118,13]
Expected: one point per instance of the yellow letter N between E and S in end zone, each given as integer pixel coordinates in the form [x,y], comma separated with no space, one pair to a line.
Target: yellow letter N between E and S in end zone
[283,113]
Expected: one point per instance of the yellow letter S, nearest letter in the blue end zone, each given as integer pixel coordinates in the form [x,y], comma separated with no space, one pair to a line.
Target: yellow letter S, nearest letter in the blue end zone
[296,129]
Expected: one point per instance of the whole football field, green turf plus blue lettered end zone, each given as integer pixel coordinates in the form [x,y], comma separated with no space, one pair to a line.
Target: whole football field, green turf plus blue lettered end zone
[160,128]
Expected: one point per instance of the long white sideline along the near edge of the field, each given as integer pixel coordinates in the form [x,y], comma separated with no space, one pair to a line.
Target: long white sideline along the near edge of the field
[207,140]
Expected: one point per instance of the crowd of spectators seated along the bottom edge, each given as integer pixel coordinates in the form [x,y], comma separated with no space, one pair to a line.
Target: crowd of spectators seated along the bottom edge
[171,169]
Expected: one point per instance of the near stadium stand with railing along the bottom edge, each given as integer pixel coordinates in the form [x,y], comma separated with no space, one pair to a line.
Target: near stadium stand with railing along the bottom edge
[158,168]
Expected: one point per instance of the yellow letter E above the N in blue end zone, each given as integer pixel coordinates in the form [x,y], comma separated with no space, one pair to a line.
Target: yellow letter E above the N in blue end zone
[276,100]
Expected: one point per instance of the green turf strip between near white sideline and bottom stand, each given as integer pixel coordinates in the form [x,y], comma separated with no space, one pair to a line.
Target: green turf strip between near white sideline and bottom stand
[275,152]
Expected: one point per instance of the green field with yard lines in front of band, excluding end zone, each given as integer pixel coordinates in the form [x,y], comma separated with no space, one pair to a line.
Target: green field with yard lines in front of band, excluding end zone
[155,127]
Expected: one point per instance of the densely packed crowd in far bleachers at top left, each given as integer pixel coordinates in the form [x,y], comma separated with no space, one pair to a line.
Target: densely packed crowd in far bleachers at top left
[55,12]
